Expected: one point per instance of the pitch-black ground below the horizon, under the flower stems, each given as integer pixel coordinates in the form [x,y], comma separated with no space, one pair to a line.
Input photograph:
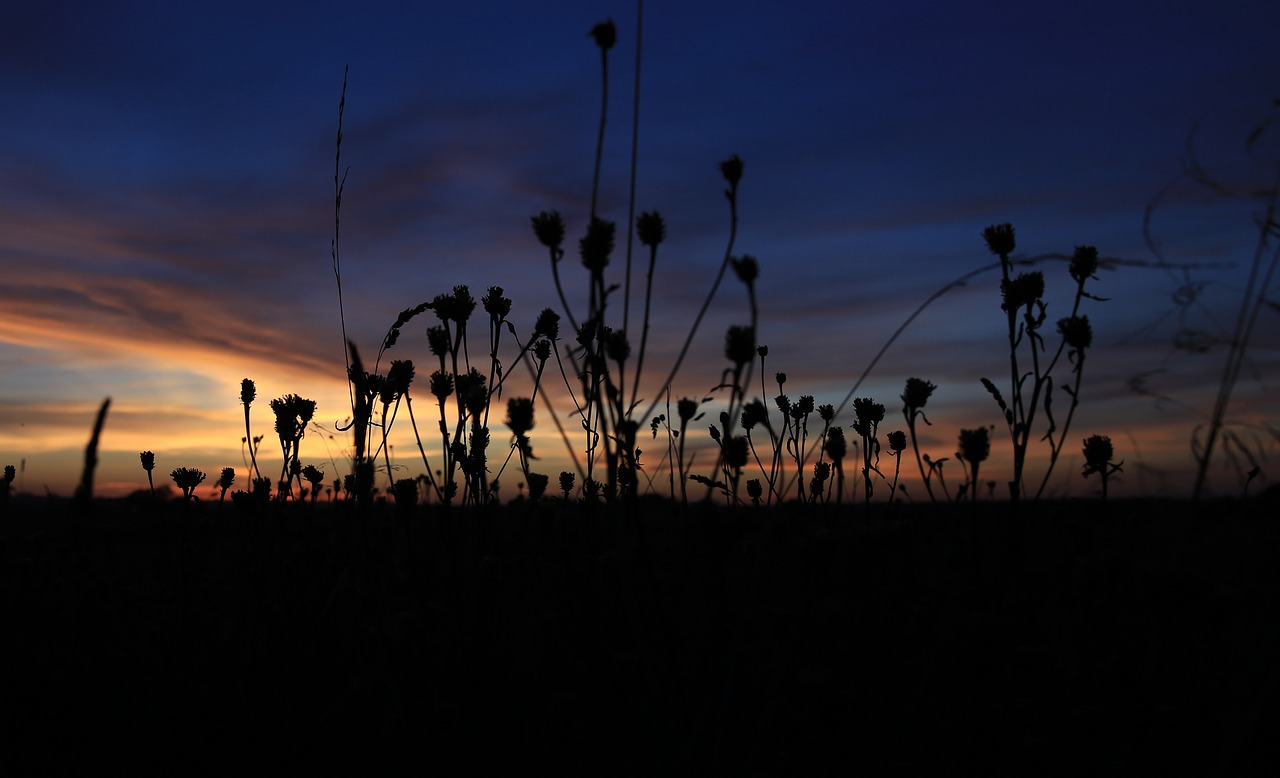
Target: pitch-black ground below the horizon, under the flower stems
[1080,638]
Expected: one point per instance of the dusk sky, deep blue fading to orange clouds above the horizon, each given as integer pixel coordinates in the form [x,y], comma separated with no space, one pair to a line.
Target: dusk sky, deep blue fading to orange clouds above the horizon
[167,207]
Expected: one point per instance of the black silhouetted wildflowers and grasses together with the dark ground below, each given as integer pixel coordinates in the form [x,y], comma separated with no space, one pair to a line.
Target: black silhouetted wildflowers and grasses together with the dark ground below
[643,615]
